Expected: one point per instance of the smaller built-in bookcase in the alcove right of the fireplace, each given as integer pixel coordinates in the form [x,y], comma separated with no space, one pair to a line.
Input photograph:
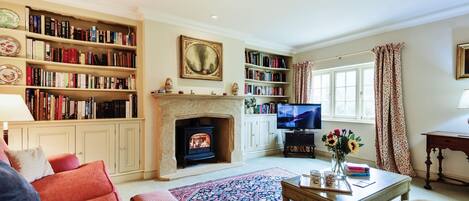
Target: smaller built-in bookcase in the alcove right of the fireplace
[267,79]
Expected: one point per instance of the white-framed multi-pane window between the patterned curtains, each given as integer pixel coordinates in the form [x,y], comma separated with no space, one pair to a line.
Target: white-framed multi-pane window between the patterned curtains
[345,92]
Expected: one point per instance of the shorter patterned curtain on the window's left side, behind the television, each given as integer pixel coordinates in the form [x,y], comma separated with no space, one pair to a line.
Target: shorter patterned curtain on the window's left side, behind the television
[302,81]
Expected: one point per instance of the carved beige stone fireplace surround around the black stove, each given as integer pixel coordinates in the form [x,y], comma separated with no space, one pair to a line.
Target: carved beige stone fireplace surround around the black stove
[172,107]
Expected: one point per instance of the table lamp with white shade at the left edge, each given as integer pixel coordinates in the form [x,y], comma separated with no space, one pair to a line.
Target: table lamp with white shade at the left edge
[12,108]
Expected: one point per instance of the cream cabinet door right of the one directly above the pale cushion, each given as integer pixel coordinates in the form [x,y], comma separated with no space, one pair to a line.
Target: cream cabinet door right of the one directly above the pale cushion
[97,142]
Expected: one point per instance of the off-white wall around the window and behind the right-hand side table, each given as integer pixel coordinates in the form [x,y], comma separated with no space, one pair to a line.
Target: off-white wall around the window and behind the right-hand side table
[431,92]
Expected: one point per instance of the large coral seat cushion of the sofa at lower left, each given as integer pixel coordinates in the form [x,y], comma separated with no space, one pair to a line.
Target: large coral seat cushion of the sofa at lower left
[86,182]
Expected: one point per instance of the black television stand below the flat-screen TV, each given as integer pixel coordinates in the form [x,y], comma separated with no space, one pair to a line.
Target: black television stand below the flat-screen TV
[299,142]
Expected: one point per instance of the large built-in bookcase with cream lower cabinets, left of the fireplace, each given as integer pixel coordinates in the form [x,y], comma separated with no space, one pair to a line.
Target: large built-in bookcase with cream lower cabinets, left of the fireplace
[79,74]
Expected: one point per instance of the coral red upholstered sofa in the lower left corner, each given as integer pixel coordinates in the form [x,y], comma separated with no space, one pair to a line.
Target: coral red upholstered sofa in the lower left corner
[71,181]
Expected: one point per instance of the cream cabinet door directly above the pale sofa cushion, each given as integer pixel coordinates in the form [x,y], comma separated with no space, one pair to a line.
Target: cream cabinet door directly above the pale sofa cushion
[53,139]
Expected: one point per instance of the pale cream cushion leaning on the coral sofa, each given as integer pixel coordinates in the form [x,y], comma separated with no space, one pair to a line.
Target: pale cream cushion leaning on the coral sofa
[30,163]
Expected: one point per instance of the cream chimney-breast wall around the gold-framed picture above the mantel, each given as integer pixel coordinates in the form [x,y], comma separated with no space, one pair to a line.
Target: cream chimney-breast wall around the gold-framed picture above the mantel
[161,60]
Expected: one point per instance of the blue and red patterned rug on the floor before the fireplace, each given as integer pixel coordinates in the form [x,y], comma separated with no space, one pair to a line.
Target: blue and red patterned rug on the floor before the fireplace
[263,185]
